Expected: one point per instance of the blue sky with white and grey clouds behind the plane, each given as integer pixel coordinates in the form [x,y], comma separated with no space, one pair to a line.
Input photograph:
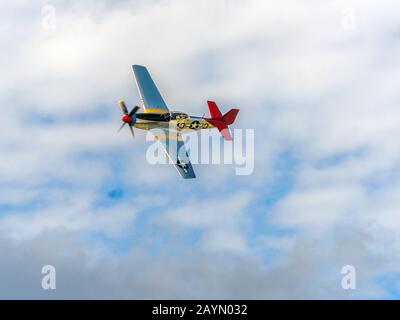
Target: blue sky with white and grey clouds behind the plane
[316,80]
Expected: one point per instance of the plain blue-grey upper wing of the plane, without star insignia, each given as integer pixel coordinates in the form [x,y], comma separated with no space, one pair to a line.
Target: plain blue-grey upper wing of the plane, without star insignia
[151,97]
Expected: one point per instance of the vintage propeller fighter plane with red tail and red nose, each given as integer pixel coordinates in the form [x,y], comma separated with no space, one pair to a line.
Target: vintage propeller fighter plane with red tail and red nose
[171,124]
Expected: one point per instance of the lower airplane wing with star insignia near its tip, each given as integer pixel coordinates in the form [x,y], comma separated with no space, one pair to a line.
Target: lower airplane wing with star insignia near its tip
[174,147]
